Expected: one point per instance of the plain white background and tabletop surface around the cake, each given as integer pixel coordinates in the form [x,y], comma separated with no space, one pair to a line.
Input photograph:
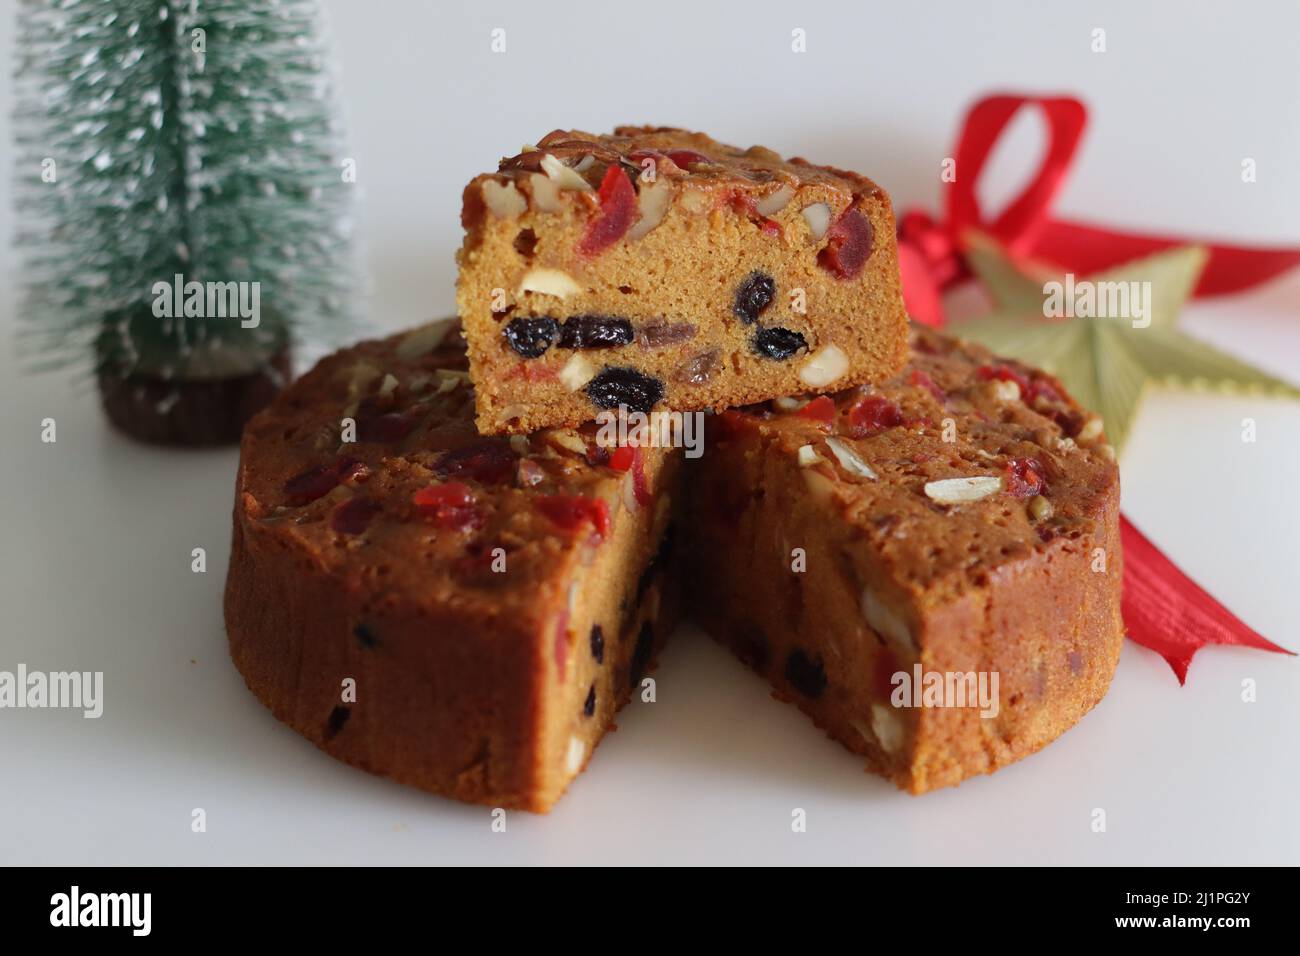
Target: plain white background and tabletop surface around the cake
[97,533]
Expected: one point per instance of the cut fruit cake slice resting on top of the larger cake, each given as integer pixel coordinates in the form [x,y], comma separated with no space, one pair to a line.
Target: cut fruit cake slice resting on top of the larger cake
[657,267]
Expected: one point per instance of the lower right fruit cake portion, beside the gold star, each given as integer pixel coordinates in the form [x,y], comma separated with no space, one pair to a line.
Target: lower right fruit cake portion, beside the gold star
[961,518]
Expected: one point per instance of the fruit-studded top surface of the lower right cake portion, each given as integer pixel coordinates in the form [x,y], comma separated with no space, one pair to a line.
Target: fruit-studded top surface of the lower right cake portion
[961,465]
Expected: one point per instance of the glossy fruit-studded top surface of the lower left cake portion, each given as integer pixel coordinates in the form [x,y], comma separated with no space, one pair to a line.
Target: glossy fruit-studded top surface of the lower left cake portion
[421,501]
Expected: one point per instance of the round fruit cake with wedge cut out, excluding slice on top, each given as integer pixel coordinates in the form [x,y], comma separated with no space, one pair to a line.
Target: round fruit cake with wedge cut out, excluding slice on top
[466,613]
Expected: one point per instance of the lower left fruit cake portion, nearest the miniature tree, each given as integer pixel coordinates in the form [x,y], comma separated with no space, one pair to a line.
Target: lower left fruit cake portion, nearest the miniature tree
[456,612]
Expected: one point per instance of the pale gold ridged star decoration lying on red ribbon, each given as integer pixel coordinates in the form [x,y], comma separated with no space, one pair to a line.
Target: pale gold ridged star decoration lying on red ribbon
[1110,336]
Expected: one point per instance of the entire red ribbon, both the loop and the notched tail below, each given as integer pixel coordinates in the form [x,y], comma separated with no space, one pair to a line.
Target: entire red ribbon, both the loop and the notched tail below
[1163,608]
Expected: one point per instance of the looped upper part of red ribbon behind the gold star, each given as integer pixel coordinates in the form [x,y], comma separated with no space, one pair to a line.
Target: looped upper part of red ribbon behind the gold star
[931,253]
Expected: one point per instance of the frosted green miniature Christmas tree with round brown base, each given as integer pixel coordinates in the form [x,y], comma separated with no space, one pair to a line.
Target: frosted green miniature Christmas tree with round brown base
[183,204]
